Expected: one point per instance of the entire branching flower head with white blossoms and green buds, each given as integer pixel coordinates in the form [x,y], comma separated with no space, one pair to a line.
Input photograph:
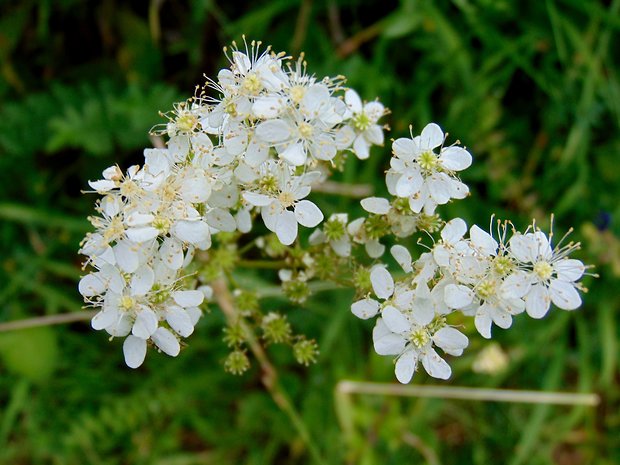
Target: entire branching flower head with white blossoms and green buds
[240,162]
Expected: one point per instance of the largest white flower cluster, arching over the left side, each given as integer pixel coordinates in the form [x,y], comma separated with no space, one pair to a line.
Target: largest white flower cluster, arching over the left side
[257,148]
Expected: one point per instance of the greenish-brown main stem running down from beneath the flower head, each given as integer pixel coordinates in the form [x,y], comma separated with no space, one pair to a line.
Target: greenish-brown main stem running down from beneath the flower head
[270,375]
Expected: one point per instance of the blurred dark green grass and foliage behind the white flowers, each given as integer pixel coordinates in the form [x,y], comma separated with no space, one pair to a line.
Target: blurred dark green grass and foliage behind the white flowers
[530,87]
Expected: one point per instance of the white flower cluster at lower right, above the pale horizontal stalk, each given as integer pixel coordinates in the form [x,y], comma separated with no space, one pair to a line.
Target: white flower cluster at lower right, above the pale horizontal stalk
[477,276]
